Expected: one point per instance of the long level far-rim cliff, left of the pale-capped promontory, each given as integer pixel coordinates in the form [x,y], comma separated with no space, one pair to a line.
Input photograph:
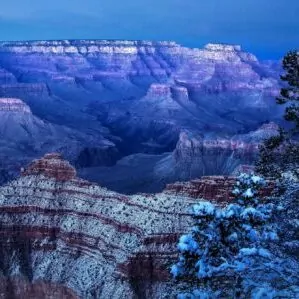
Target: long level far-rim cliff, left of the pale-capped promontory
[100,59]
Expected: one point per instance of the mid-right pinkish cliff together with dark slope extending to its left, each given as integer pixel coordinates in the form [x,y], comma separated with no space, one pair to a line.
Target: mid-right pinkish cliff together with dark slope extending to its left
[195,155]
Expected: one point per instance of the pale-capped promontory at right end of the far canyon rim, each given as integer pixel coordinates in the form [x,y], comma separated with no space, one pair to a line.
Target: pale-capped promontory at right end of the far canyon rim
[221,68]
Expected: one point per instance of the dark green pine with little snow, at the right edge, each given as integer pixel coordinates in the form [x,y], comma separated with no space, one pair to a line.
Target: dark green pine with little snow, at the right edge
[280,154]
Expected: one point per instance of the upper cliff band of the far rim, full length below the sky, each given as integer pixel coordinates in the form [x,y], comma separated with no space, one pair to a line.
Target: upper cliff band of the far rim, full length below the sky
[215,67]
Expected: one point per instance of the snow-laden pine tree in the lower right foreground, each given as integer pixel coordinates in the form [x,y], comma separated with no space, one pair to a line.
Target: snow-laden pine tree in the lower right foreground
[226,250]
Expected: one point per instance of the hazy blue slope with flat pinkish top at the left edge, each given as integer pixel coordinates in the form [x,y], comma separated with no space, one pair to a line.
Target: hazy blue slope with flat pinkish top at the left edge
[23,136]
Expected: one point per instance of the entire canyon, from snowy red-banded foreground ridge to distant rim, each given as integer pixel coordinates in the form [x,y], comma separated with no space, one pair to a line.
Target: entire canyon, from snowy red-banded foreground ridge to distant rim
[104,147]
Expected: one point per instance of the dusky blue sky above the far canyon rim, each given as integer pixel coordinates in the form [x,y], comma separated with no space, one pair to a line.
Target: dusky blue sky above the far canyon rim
[267,28]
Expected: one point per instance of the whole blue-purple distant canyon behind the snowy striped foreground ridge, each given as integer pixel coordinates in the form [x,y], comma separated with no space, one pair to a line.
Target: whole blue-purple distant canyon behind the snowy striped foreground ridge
[135,115]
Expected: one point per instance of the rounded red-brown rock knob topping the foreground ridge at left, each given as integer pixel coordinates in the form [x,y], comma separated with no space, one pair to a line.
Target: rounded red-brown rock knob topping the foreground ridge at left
[52,166]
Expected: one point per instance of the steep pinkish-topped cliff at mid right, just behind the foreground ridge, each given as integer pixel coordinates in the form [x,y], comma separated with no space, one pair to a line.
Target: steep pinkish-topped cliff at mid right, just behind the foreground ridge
[197,155]
